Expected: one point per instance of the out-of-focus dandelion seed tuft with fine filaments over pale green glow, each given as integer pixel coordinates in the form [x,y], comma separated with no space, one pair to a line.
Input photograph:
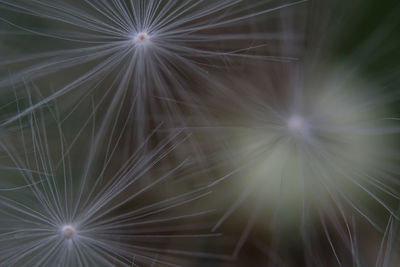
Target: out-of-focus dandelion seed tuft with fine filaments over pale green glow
[314,167]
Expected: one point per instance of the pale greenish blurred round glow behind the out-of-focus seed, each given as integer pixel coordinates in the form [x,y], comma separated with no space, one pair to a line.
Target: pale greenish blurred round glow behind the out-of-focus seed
[329,135]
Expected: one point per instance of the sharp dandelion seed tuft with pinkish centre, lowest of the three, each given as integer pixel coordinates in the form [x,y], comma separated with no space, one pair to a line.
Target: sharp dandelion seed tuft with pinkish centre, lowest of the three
[106,216]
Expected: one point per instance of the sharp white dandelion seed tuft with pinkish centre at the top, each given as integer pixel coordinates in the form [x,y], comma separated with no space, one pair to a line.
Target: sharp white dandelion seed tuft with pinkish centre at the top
[181,38]
